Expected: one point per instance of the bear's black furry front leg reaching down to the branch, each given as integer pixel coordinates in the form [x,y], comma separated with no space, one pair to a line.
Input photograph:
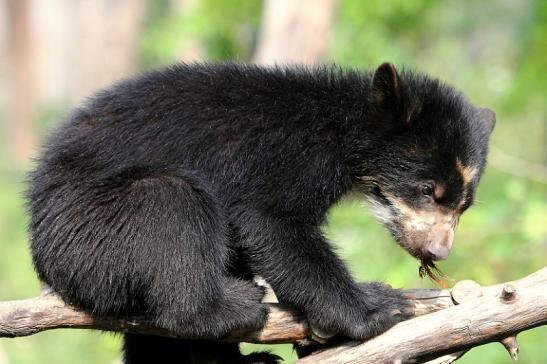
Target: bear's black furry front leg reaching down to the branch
[298,262]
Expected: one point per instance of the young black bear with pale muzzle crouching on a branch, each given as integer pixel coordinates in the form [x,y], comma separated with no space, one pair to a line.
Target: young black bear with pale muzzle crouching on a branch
[164,195]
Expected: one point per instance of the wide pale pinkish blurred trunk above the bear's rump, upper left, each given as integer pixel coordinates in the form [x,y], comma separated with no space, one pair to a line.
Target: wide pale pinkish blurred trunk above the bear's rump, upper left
[103,43]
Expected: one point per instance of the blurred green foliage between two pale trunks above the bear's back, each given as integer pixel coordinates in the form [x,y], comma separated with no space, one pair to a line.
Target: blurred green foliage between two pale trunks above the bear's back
[213,28]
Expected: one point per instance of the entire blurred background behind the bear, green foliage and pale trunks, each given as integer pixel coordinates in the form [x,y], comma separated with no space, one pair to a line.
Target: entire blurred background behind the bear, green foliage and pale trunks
[53,53]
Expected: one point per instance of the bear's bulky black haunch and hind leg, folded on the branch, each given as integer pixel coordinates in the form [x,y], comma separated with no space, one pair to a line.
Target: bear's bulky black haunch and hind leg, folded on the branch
[143,241]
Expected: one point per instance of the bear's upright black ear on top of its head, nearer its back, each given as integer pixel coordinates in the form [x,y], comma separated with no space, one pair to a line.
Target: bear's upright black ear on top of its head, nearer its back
[389,93]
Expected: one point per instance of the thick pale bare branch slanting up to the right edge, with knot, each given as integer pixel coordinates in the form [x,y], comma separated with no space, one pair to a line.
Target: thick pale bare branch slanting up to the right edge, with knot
[491,314]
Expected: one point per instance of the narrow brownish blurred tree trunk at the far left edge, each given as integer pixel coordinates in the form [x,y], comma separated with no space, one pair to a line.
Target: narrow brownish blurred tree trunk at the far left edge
[21,78]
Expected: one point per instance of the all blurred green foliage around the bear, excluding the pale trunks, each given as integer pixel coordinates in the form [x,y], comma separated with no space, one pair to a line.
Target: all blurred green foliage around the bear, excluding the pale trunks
[494,51]
